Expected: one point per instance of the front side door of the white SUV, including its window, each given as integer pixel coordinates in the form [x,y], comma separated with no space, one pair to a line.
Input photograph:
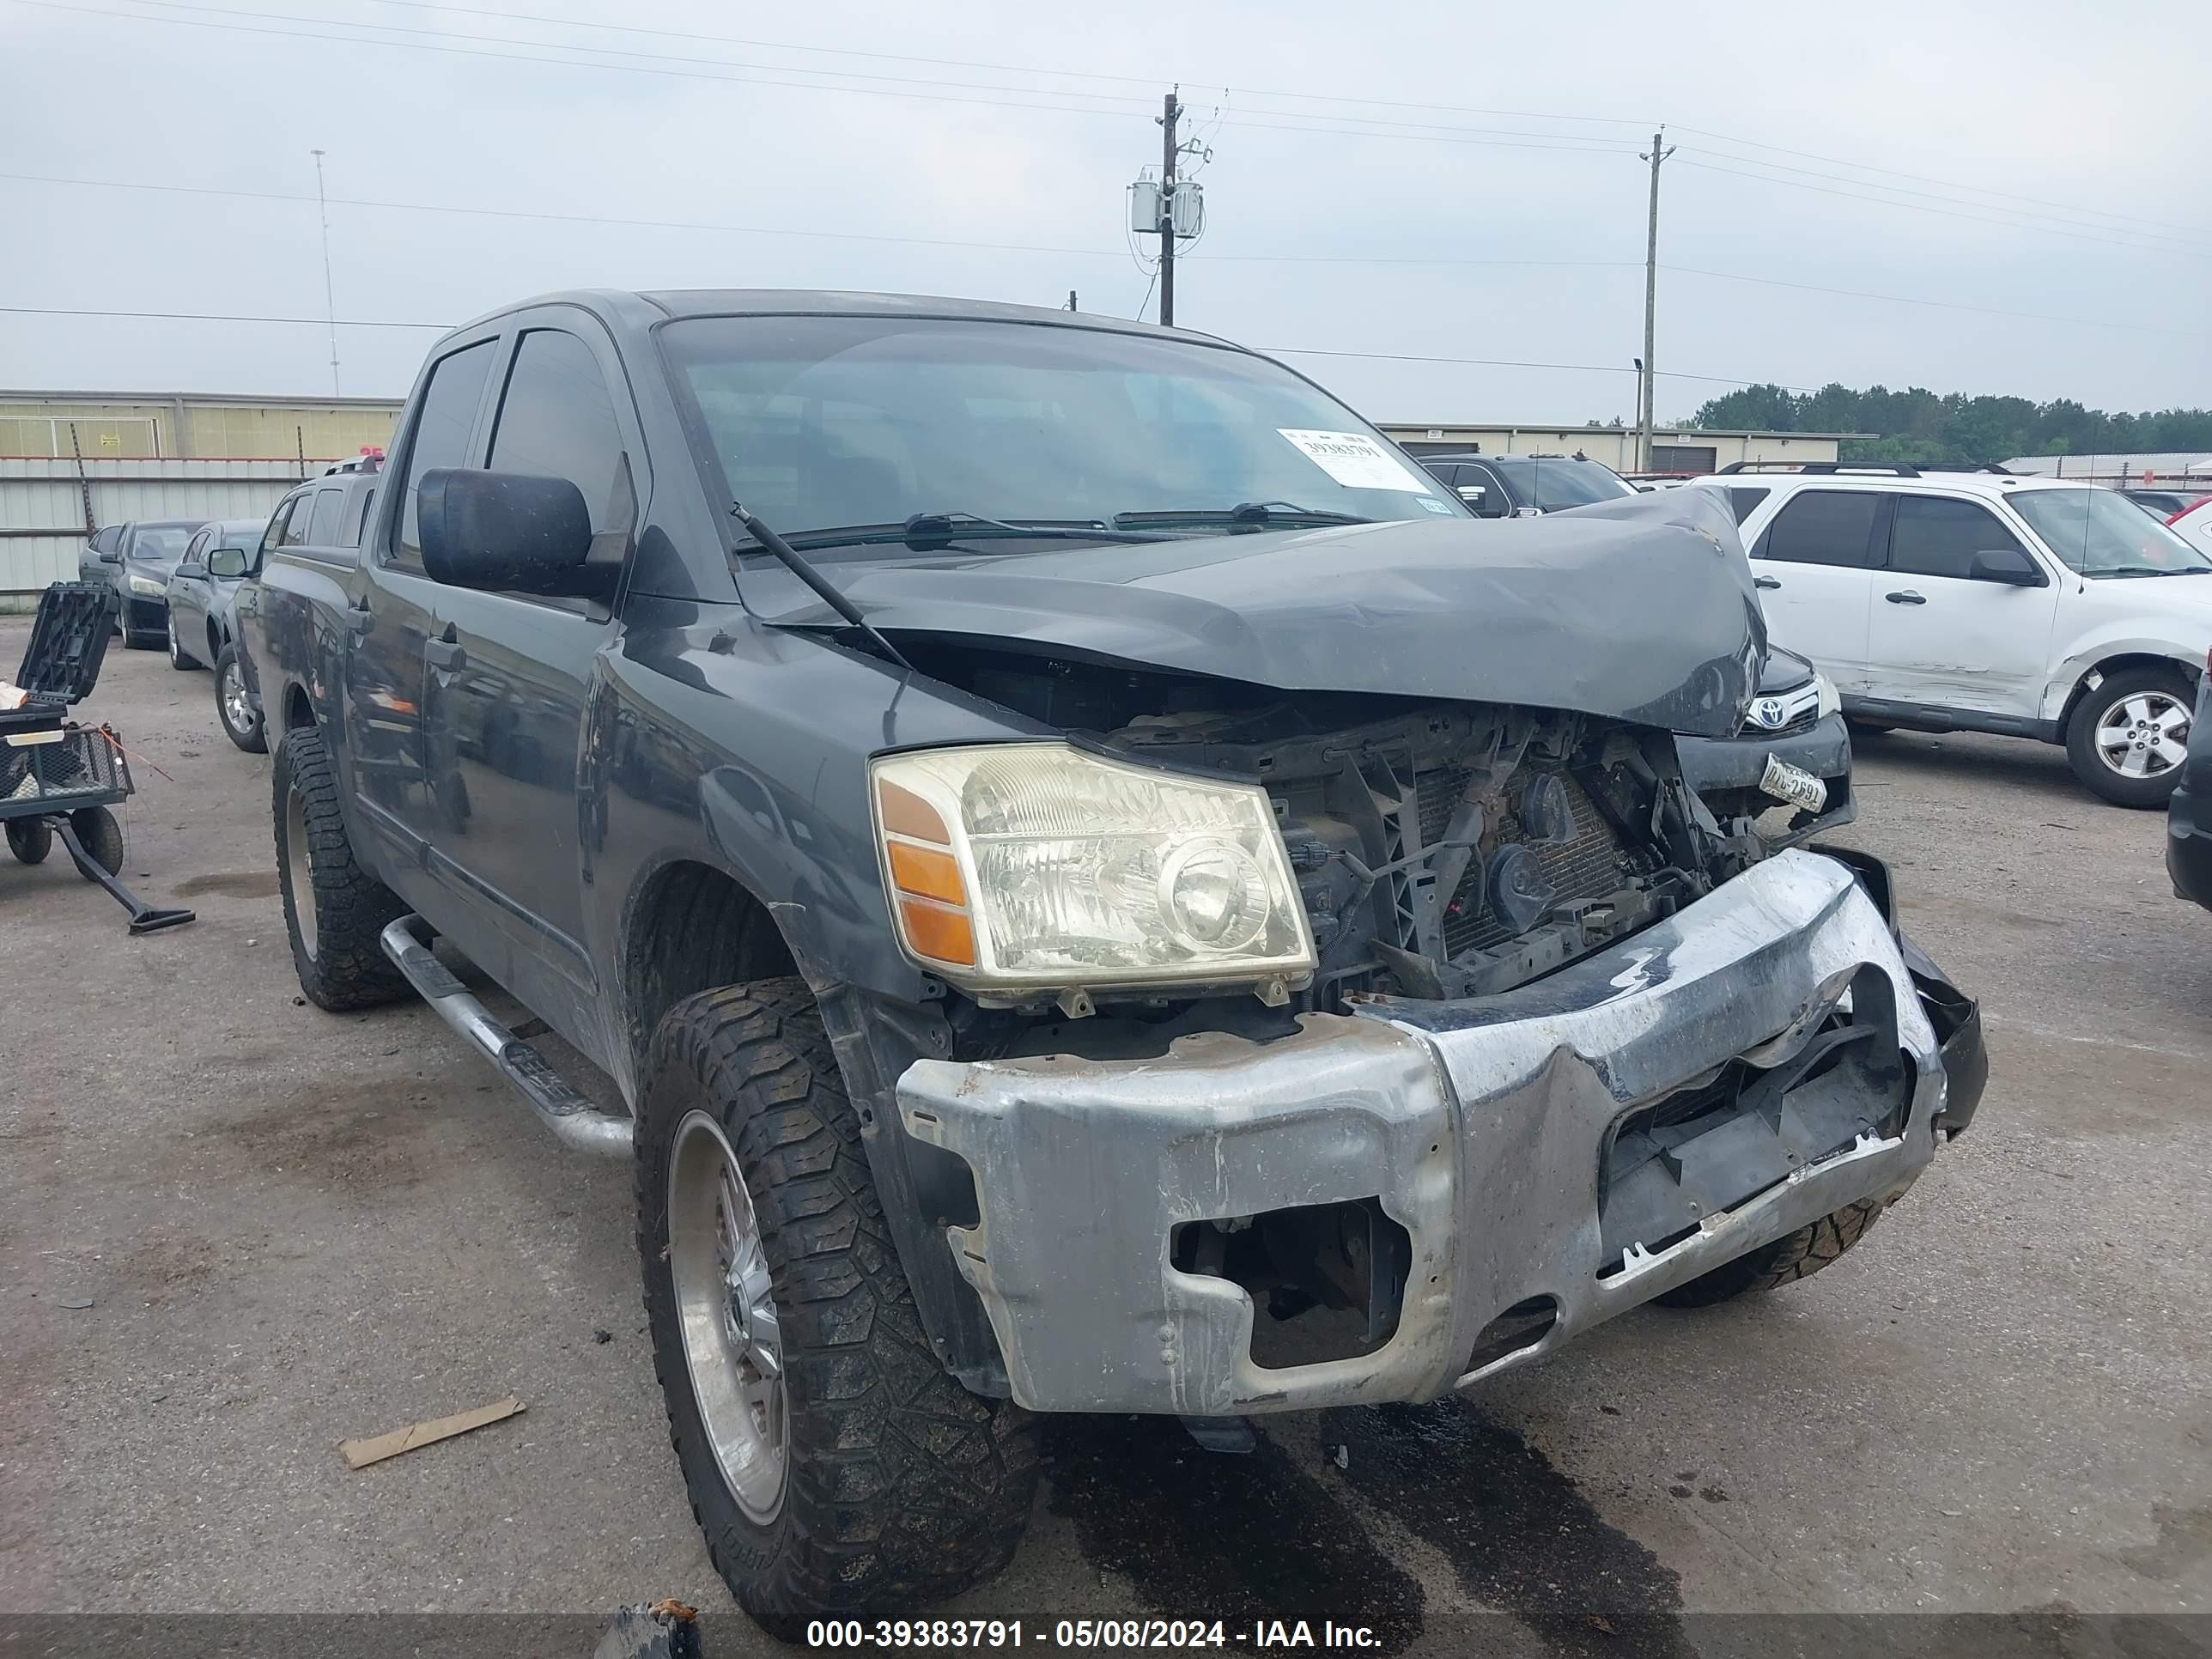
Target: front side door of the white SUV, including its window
[1941,638]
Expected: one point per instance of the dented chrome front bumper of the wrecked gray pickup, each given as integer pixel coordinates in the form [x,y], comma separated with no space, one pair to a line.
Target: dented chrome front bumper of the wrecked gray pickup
[1479,1125]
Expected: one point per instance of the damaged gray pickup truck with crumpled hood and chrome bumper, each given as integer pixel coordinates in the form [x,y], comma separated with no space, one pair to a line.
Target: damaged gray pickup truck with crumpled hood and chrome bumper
[1098,886]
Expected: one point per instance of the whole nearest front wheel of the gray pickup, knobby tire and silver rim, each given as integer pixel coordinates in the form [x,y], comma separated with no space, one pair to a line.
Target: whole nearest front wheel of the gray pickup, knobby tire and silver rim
[833,1463]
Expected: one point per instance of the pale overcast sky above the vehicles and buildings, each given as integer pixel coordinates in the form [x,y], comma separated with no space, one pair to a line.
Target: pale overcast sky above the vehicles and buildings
[2047,169]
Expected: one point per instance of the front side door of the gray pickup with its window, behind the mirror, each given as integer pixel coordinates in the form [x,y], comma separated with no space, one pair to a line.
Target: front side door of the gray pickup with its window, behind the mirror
[512,671]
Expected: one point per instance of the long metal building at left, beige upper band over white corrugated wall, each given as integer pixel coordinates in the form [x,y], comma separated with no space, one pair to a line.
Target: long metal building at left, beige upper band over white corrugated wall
[74,461]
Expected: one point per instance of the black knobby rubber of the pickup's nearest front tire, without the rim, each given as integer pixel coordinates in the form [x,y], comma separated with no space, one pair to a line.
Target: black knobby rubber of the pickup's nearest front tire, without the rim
[901,1485]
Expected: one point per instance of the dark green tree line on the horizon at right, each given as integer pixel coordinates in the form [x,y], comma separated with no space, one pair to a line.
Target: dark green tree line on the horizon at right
[1948,426]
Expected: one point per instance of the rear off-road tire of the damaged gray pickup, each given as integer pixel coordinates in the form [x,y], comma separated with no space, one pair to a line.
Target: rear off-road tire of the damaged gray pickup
[346,968]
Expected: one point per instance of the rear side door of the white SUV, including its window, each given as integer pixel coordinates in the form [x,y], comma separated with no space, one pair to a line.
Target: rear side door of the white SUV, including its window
[1813,565]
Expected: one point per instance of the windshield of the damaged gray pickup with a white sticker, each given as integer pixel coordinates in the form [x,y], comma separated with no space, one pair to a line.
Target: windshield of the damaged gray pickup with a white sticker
[831,421]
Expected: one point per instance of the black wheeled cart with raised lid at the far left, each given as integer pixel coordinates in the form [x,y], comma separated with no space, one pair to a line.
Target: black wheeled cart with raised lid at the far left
[61,778]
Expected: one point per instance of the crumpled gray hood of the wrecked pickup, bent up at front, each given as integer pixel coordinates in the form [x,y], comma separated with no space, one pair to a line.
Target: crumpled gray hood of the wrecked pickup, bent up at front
[1638,609]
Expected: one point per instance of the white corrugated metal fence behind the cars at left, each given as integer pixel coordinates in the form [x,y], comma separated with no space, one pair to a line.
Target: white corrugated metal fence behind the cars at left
[43,505]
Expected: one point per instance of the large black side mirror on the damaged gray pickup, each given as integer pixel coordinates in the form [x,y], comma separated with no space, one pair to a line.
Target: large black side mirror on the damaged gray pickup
[508,532]
